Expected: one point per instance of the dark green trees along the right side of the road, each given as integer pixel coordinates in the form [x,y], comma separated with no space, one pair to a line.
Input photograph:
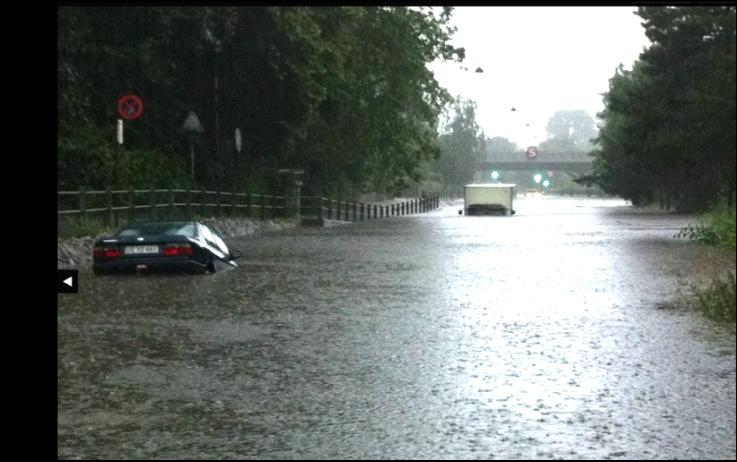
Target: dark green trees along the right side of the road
[669,123]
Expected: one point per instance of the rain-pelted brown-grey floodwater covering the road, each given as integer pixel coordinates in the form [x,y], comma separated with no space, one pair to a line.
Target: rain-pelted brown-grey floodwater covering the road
[555,333]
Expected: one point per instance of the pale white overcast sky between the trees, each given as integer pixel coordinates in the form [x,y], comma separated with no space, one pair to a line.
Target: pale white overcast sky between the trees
[538,60]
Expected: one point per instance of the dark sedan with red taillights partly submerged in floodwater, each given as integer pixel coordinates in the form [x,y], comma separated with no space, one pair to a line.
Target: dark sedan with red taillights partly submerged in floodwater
[162,245]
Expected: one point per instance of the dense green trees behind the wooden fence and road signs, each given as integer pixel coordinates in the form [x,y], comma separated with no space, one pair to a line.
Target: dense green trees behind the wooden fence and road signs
[343,93]
